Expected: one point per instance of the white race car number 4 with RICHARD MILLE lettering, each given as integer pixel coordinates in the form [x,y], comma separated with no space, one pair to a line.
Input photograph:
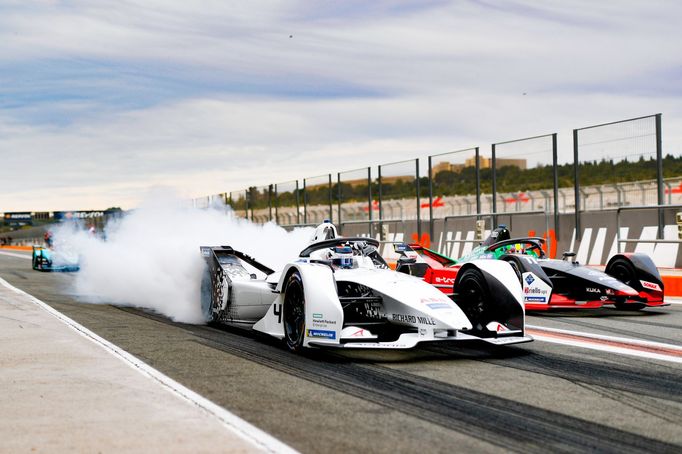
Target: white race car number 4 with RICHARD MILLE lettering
[340,293]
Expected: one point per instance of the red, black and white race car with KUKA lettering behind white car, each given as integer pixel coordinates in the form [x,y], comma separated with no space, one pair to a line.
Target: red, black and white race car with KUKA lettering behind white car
[630,281]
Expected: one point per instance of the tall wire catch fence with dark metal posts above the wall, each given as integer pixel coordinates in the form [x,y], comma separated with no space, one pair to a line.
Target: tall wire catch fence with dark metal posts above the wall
[613,165]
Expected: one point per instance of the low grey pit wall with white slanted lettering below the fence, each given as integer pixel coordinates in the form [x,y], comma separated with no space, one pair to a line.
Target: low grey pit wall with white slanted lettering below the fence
[594,246]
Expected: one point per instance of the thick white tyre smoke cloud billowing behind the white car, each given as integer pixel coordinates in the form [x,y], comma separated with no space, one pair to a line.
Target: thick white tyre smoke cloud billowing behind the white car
[150,258]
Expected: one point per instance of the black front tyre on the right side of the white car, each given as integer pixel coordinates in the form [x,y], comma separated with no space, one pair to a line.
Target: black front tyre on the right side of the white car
[473,296]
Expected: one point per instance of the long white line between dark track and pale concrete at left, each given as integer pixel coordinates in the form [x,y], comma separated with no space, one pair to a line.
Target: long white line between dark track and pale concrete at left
[242,428]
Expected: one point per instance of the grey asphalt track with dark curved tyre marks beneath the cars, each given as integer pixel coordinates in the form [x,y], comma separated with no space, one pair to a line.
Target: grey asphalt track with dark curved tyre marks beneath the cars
[595,380]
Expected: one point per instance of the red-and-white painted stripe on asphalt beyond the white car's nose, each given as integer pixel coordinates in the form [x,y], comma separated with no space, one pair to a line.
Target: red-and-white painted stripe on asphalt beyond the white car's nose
[611,344]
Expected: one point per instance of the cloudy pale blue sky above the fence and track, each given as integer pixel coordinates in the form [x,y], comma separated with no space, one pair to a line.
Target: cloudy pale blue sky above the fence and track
[102,102]
